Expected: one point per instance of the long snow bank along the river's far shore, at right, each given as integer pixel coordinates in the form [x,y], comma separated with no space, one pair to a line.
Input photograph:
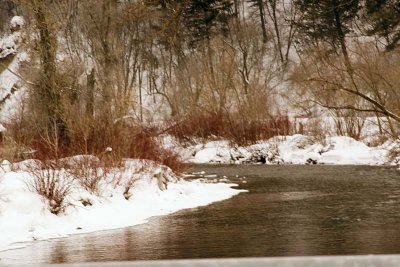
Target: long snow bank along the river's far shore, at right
[296,149]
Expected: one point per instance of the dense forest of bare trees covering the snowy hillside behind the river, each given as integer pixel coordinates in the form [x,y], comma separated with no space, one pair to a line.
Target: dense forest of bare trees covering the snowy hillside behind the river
[102,71]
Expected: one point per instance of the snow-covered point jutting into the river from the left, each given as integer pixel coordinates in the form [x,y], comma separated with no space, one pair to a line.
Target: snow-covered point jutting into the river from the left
[24,215]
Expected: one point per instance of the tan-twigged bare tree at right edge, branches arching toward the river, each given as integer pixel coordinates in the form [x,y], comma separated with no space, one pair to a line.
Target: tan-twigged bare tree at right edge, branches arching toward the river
[370,85]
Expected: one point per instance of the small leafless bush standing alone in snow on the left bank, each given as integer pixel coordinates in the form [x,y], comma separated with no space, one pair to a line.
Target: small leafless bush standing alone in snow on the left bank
[53,184]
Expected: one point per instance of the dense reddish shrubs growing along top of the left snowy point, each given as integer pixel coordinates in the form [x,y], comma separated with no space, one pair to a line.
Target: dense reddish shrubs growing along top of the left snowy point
[126,141]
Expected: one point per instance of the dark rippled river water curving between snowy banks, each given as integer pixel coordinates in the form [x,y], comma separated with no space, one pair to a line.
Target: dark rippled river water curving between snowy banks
[289,210]
